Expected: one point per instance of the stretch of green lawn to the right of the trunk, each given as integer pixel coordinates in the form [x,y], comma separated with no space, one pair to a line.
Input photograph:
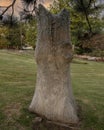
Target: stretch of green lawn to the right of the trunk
[88,85]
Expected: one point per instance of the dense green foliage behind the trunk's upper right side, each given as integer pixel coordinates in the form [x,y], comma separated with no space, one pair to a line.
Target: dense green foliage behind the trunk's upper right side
[84,19]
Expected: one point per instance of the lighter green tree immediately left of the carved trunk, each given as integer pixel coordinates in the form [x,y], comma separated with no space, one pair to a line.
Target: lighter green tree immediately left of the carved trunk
[29,29]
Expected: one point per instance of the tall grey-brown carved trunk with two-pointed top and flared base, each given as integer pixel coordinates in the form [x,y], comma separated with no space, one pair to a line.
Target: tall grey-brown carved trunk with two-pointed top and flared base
[53,96]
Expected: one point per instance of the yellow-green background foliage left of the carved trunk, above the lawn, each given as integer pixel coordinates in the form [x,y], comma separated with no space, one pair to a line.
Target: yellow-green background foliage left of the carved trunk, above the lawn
[18,35]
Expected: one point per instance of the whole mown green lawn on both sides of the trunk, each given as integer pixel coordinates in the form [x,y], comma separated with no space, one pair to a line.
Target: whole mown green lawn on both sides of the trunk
[17,82]
